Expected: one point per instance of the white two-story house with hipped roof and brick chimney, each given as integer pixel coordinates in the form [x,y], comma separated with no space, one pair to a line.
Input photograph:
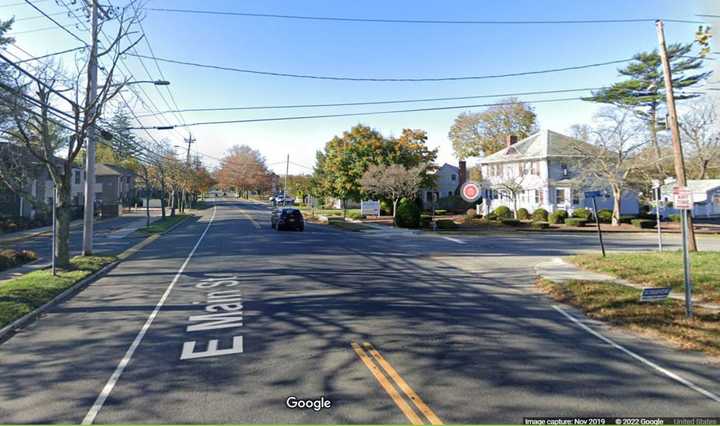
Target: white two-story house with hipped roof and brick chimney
[545,167]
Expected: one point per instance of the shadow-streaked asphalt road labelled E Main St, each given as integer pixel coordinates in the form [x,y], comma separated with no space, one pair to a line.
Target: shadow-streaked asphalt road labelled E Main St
[460,336]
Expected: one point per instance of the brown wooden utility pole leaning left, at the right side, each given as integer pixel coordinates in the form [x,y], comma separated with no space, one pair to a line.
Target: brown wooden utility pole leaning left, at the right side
[675,130]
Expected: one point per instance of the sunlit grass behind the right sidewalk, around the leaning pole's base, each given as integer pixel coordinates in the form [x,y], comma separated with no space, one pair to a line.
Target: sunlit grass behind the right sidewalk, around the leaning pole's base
[661,270]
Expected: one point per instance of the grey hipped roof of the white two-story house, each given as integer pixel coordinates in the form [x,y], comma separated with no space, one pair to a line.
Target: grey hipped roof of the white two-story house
[542,144]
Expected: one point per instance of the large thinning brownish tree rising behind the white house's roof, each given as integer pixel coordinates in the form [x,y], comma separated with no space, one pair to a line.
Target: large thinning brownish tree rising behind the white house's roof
[483,133]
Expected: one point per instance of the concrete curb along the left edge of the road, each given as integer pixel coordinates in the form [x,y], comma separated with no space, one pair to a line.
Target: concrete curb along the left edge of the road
[15,326]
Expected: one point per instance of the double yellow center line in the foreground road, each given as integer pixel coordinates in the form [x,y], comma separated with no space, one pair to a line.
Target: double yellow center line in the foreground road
[385,373]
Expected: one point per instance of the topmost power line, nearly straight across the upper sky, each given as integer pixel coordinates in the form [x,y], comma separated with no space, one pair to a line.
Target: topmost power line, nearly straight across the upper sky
[419,21]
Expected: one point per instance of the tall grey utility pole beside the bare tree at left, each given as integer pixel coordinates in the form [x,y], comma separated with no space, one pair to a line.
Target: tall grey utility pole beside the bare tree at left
[91,108]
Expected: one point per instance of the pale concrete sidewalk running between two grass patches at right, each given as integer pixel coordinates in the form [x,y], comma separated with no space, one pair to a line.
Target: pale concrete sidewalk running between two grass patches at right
[559,271]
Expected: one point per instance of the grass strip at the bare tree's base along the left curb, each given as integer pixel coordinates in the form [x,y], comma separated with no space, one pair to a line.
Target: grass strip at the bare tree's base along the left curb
[22,295]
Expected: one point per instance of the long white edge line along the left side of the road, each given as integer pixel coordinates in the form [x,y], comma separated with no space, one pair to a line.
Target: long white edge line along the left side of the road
[100,401]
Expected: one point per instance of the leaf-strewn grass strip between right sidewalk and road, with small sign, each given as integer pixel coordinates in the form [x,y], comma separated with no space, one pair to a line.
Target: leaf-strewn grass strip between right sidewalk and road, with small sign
[619,305]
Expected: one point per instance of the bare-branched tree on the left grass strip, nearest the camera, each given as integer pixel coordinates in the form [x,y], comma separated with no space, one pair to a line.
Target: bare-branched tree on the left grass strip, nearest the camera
[56,142]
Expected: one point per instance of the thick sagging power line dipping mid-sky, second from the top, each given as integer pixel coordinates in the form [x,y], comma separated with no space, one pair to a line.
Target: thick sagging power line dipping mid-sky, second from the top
[384,79]
